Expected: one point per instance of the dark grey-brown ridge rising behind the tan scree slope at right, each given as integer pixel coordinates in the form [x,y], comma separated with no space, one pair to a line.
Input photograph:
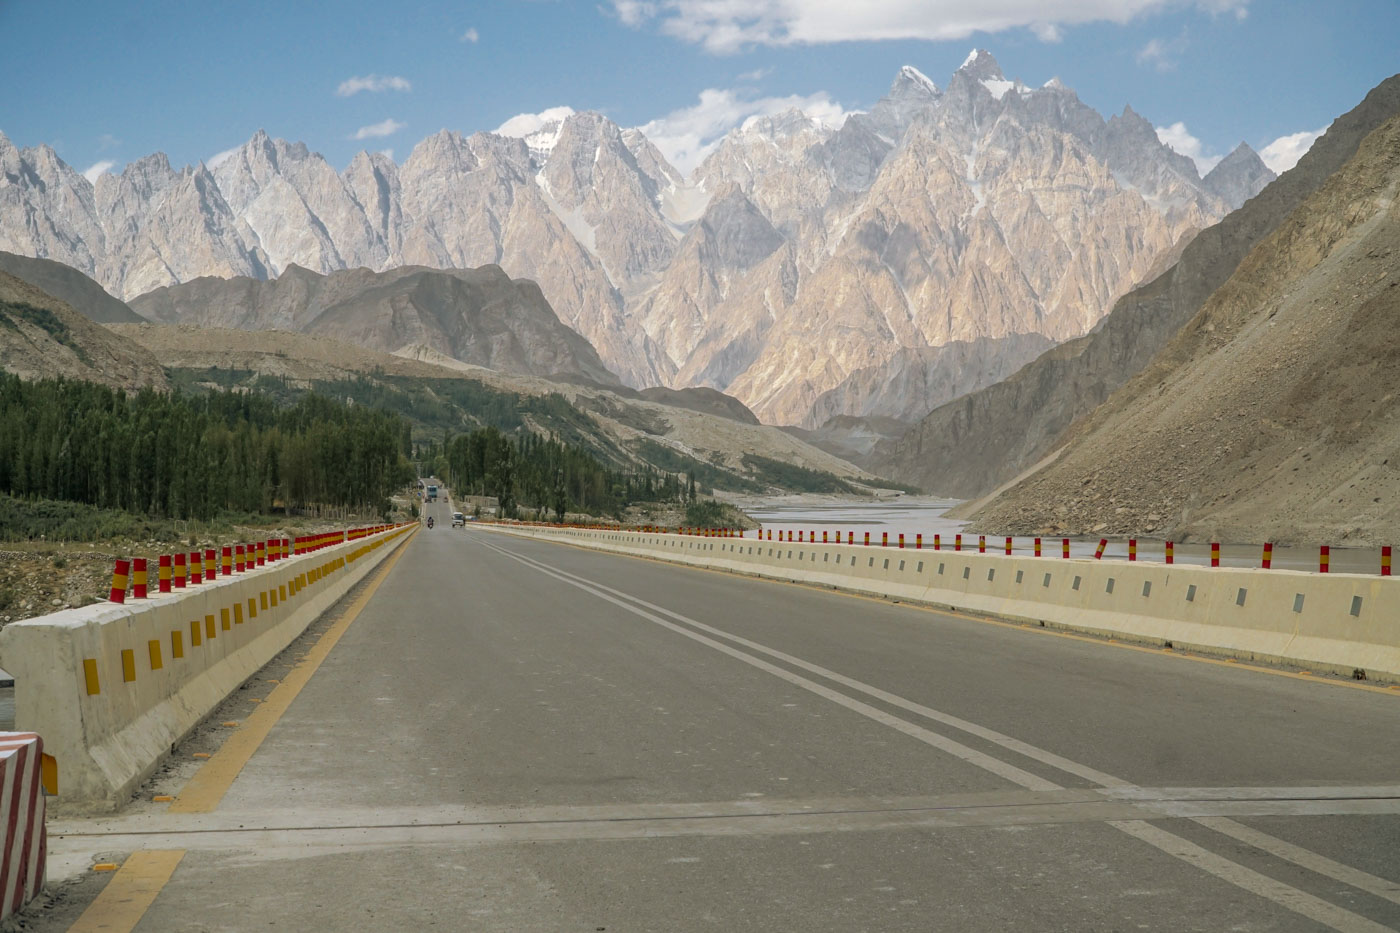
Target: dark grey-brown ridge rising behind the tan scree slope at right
[982,441]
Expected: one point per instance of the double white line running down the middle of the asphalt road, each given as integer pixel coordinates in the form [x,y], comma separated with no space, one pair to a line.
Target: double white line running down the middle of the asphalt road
[1241,876]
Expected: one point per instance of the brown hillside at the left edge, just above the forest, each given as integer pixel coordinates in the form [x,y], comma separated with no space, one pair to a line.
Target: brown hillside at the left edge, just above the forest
[45,338]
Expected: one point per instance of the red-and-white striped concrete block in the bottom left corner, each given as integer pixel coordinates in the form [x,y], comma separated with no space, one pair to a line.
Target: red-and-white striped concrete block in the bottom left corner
[22,805]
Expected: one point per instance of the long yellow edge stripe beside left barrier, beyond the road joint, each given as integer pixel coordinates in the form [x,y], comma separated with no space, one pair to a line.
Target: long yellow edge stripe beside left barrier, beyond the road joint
[209,785]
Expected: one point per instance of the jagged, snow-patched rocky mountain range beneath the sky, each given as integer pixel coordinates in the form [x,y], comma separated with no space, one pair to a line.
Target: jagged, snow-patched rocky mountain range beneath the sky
[800,270]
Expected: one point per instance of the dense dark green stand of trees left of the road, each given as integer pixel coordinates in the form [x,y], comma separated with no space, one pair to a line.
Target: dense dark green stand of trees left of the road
[195,456]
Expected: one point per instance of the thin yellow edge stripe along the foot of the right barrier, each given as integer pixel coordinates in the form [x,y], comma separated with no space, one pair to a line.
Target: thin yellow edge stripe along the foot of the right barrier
[1185,655]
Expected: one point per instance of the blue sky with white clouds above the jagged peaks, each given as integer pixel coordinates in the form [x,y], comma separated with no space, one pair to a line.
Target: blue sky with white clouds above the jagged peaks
[107,85]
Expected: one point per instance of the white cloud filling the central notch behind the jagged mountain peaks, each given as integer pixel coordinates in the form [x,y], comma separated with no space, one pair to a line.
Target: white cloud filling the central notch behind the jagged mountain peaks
[688,135]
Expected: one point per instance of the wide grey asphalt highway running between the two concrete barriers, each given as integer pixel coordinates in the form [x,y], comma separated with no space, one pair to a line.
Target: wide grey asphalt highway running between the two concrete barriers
[510,735]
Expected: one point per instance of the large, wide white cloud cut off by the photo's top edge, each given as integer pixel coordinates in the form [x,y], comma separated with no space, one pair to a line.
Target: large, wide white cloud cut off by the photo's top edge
[730,26]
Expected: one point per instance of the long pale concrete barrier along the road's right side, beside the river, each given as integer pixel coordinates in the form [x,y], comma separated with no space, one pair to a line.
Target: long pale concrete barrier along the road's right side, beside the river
[1339,623]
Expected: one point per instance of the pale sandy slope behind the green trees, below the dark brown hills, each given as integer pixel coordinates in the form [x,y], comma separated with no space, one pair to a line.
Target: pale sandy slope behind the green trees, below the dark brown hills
[689,428]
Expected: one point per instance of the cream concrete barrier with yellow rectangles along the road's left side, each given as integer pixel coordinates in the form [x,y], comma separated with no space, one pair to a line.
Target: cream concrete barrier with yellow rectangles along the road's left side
[114,687]
